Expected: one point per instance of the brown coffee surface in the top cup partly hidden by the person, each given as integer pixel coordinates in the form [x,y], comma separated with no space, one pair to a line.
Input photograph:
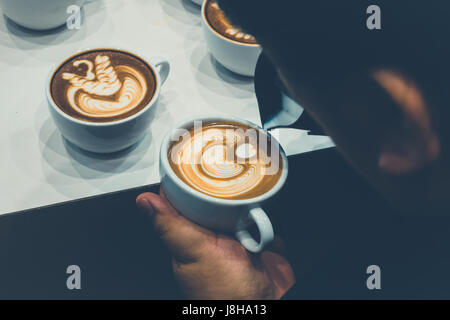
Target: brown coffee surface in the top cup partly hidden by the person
[219,22]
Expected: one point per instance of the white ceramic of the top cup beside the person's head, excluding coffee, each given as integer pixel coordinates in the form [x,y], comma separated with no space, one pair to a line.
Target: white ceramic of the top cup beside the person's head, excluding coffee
[236,56]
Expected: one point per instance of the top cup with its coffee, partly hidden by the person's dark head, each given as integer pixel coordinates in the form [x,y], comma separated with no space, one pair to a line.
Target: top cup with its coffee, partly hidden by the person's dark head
[234,49]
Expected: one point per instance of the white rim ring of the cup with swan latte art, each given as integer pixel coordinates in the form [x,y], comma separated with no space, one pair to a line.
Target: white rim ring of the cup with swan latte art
[136,53]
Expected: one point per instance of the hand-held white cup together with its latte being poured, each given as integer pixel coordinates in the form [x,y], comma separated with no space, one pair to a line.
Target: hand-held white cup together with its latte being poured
[218,171]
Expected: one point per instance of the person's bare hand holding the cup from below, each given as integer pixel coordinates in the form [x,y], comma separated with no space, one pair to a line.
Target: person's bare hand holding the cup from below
[210,265]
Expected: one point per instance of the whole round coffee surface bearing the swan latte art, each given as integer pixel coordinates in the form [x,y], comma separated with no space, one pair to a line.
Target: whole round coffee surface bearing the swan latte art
[103,85]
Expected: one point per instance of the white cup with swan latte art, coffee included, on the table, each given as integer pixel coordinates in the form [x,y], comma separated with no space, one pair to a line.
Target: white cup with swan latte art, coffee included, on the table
[100,99]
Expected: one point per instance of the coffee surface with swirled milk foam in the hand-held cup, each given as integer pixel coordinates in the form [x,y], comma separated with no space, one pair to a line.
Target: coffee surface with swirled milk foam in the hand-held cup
[227,160]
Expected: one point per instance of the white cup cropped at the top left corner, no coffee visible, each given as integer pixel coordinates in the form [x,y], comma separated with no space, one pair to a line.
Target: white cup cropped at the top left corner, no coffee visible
[39,14]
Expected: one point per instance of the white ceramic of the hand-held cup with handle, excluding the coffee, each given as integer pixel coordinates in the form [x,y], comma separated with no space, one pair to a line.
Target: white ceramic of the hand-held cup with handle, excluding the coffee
[225,215]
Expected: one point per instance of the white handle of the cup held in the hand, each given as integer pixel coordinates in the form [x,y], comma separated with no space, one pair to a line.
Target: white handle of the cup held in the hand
[262,221]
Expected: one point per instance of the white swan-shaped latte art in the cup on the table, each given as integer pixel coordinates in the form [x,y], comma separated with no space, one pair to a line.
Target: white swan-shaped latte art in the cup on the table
[106,91]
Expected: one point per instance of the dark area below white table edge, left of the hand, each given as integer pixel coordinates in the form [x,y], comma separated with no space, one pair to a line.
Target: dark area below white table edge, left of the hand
[108,237]
